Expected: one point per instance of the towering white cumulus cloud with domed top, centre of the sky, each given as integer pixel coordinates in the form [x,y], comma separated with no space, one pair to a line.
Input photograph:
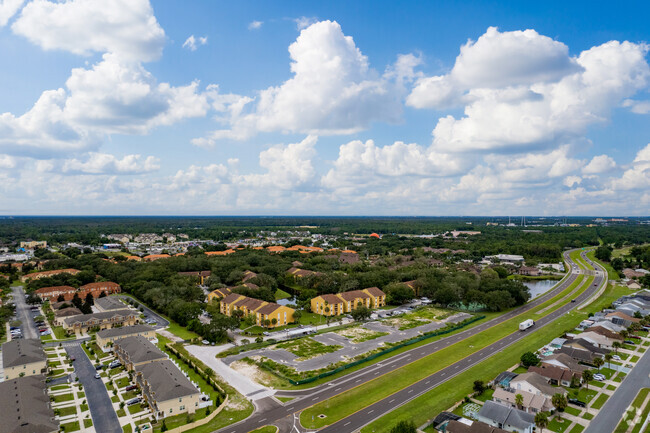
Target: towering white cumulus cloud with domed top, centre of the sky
[333,90]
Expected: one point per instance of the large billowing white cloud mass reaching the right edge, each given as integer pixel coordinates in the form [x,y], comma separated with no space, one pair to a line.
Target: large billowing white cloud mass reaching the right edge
[522,91]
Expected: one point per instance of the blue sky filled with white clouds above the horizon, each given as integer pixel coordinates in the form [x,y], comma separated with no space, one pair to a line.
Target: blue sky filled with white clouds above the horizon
[327,108]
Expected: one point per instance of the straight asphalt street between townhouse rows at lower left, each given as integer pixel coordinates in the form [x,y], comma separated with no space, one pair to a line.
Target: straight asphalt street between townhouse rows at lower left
[101,408]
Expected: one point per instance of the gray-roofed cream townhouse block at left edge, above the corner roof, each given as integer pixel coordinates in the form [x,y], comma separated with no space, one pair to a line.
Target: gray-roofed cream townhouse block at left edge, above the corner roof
[23,358]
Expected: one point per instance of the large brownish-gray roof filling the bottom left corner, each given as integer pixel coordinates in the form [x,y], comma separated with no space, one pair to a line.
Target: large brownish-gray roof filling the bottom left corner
[26,406]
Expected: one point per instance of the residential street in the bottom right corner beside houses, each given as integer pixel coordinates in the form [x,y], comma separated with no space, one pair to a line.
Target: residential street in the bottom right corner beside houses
[614,408]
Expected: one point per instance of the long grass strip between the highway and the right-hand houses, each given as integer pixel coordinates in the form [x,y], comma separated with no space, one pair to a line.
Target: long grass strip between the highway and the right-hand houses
[442,397]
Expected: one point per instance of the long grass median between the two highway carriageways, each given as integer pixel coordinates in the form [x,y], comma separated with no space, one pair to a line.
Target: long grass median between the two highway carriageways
[364,395]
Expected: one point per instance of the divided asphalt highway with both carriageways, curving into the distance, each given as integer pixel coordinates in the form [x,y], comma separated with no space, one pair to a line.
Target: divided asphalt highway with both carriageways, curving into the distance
[309,397]
